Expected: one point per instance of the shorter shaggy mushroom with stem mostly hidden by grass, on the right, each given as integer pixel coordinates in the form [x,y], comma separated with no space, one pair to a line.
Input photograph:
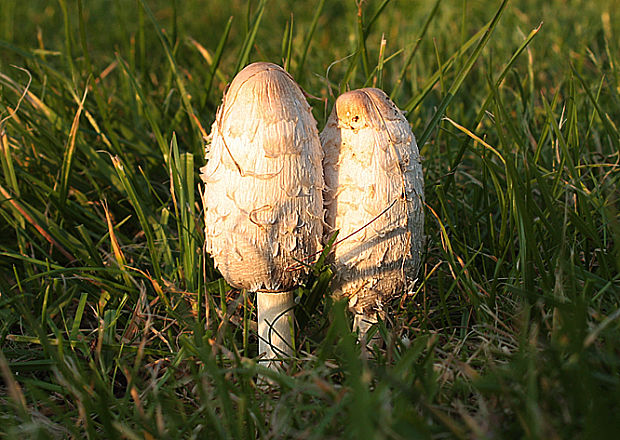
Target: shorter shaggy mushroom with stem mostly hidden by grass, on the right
[374,196]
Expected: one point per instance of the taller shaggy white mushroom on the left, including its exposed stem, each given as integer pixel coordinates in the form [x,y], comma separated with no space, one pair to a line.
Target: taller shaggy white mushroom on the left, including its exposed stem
[263,194]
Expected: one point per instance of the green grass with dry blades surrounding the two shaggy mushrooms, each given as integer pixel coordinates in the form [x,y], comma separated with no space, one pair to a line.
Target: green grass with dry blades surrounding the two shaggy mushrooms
[114,324]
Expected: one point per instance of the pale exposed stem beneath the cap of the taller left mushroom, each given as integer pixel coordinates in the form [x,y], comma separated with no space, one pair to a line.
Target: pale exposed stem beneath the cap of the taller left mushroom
[275,325]
